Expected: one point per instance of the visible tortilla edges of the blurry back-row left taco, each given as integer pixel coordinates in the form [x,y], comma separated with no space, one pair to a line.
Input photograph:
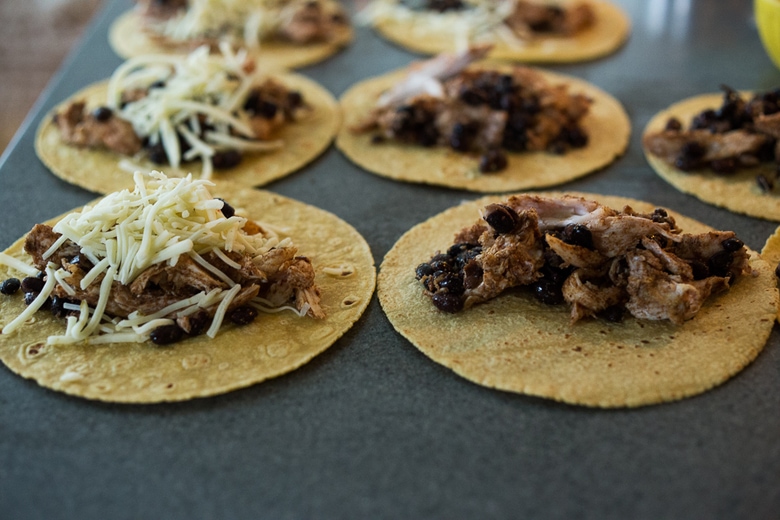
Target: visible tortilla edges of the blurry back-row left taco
[128,40]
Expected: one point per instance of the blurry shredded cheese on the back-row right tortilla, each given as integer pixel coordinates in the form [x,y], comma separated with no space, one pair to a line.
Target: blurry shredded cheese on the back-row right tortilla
[481,22]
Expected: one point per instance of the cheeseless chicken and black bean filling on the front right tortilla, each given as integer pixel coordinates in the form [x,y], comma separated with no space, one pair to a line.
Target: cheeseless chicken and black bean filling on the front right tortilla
[599,261]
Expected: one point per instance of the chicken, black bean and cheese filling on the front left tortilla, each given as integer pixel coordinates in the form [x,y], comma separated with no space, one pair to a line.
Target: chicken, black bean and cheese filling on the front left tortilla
[162,262]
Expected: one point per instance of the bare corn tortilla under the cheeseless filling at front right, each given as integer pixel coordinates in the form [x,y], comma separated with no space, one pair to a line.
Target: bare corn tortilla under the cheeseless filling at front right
[517,344]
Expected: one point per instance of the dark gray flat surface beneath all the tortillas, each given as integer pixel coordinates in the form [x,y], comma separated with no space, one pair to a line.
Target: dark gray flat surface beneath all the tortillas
[372,428]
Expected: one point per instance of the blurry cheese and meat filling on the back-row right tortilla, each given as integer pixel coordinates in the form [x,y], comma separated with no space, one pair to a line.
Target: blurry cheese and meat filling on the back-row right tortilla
[511,21]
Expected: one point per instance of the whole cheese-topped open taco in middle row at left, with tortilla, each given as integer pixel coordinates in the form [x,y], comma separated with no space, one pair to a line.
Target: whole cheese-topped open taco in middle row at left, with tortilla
[215,115]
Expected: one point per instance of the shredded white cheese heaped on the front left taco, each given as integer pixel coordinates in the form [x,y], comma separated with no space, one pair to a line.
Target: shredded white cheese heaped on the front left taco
[129,231]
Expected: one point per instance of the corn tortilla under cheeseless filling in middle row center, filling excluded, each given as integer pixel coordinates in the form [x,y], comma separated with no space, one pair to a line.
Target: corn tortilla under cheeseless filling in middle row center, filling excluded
[606,124]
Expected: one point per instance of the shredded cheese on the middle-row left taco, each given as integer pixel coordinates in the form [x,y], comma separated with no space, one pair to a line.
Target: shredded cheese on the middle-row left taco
[194,90]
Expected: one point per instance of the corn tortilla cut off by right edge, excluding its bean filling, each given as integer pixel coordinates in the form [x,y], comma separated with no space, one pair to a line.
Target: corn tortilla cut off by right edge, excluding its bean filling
[738,192]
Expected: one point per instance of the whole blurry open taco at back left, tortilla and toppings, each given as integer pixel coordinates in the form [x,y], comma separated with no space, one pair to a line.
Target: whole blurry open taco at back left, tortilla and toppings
[285,33]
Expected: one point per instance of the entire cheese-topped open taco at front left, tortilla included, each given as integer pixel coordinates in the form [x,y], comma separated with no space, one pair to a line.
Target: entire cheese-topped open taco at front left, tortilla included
[243,288]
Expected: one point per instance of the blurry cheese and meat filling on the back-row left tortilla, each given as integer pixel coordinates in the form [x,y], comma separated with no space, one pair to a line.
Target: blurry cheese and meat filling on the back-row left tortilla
[241,23]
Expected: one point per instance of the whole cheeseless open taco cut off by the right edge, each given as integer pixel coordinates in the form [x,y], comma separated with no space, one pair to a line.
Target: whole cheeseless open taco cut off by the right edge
[723,151]
